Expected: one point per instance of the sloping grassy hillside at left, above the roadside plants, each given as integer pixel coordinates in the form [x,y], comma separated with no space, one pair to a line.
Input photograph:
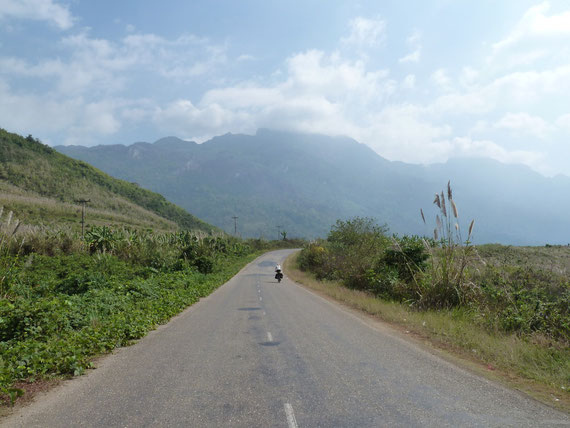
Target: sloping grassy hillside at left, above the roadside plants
[43,186]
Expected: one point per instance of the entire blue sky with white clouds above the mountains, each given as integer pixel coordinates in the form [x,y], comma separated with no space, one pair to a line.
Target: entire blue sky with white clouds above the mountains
[417,81]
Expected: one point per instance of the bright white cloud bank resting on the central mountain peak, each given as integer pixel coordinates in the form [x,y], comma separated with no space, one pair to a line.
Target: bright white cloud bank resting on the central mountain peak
[319,93]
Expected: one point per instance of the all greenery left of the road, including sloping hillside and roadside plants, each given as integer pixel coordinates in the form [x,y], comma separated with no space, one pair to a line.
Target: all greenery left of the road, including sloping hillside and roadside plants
[67,294]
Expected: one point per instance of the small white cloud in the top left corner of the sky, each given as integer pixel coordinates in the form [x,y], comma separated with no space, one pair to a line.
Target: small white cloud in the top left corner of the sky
[37,10]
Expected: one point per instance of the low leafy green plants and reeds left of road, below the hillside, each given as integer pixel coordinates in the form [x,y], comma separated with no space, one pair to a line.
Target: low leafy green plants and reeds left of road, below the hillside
[64,299]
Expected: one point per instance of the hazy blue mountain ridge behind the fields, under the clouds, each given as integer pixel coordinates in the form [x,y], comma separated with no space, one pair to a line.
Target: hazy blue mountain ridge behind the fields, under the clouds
[303,183]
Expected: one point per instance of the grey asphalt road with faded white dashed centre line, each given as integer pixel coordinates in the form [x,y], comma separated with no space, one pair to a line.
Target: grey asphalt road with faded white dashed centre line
[260,354]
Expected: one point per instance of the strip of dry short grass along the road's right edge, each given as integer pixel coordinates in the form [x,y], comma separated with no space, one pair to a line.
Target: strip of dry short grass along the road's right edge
[535,368]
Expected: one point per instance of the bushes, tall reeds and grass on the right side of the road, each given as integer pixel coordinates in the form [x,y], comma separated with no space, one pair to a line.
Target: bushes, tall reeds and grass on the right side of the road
[511,305]
